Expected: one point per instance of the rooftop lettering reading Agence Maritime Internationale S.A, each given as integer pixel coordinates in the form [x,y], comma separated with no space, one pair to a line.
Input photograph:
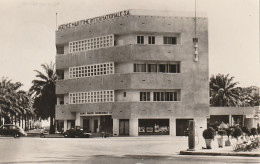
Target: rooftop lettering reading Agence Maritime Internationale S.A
[94,20]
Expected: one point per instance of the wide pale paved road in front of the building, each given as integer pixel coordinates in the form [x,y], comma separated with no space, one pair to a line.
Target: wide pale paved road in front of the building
[116,150]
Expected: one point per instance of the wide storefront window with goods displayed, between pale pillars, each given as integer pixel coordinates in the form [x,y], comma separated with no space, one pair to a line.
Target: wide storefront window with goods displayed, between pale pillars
[153,126]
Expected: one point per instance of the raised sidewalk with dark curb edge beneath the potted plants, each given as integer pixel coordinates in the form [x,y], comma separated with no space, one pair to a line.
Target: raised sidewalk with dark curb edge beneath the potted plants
[225,151]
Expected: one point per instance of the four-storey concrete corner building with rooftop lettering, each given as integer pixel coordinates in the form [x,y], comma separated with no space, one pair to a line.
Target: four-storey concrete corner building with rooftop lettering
[134,72]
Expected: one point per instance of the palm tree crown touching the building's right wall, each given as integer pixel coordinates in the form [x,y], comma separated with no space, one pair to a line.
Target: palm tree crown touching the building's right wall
[223,91]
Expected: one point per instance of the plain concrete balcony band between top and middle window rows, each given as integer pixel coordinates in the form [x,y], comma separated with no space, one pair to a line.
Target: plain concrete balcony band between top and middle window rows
[124,53]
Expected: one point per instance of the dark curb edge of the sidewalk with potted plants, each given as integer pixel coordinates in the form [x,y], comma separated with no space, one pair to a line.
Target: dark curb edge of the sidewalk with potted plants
[219,154]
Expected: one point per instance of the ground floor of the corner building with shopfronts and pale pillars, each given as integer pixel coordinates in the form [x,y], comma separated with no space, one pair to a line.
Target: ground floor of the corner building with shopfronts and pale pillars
[133,126]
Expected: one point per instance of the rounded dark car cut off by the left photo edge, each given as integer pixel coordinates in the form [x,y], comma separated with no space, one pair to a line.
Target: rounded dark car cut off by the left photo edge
[12,130]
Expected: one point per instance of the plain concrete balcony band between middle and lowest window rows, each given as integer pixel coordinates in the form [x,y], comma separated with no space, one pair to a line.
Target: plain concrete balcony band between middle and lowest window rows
[122,81]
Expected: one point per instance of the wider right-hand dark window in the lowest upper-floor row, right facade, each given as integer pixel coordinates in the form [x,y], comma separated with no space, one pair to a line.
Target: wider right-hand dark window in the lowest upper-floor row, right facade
[165,96]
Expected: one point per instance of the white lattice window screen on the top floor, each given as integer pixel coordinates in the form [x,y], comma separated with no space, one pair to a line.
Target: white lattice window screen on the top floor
[92,43]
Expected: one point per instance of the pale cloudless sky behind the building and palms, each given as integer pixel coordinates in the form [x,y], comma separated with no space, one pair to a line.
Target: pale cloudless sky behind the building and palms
[28,33]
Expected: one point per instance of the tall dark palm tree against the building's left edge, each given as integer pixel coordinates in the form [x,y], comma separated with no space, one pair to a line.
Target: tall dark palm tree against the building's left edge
[43,93]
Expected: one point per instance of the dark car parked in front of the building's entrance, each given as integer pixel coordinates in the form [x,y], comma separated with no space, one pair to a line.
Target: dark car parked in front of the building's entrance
[76,132]
